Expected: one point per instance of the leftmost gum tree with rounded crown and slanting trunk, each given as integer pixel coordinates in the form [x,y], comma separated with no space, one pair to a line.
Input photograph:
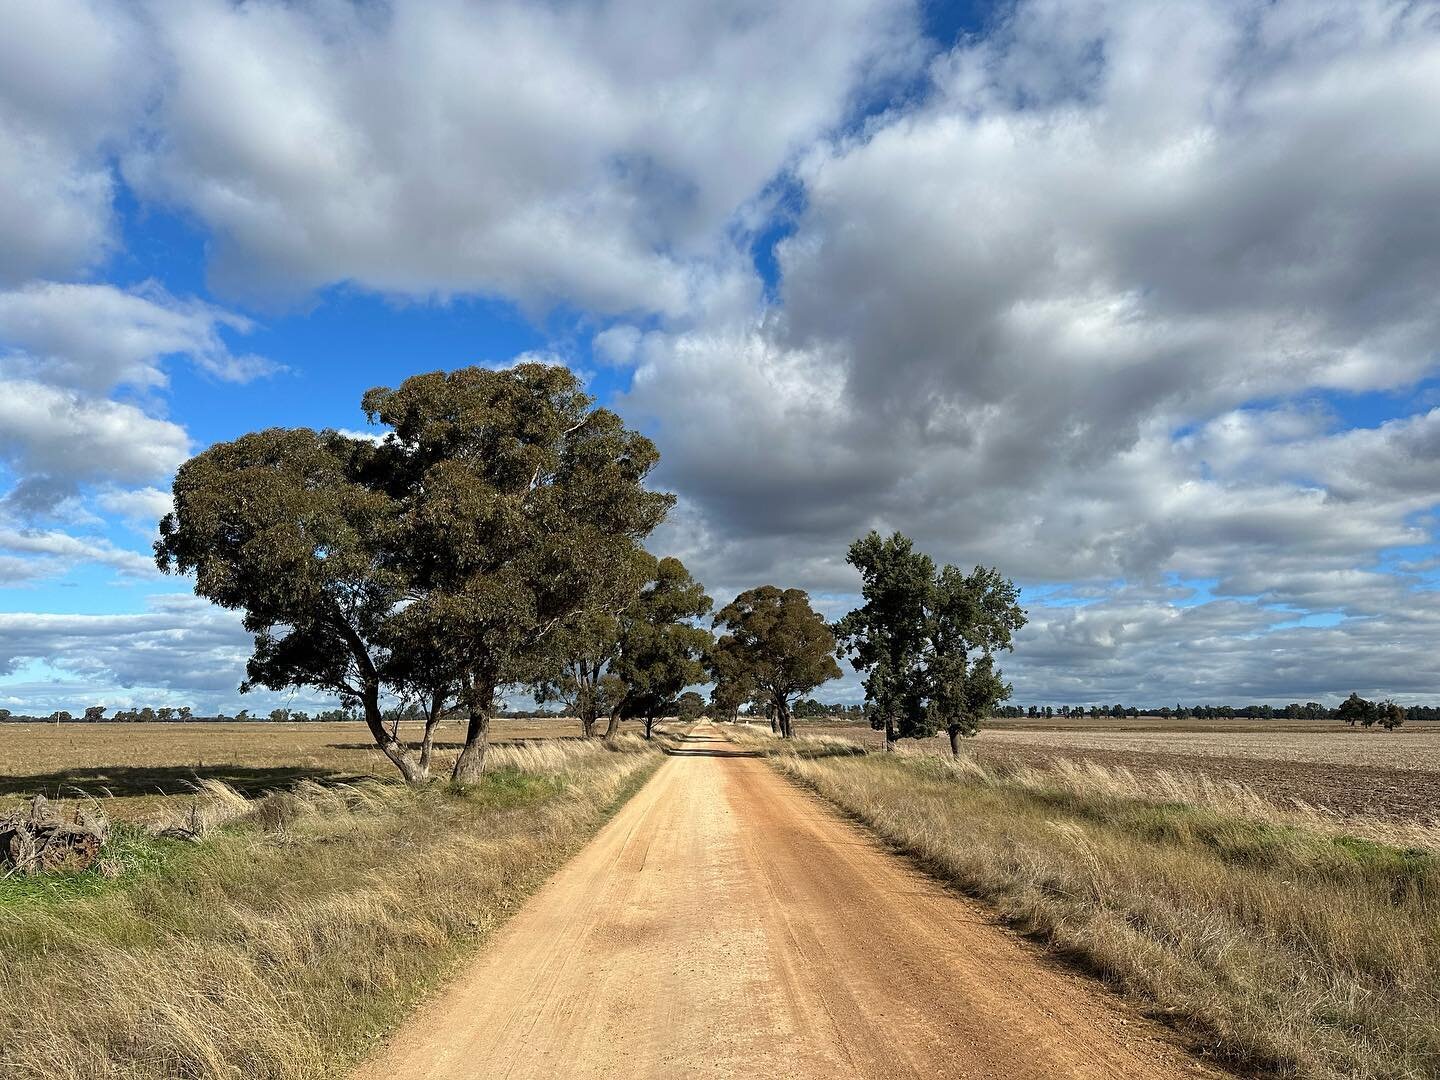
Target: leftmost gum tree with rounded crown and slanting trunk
[284,528]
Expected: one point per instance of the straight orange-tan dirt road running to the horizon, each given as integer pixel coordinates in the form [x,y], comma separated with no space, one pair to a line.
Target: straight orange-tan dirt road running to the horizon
[729,925]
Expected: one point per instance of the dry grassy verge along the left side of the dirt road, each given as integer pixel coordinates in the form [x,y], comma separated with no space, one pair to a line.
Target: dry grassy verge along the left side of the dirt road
[297,932]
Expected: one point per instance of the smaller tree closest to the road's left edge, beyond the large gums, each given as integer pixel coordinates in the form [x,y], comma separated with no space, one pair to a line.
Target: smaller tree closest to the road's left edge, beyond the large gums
[662,652]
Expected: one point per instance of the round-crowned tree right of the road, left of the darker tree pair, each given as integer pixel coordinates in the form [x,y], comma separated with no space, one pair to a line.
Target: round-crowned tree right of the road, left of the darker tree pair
[777,646]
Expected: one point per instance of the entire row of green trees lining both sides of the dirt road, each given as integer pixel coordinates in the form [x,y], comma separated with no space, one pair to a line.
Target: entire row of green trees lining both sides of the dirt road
[493,539]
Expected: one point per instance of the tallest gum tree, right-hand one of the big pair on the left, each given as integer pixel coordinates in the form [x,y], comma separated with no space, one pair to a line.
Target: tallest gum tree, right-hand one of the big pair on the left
[522,505]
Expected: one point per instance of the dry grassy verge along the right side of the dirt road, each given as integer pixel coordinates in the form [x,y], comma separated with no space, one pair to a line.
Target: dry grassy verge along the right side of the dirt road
[1277,938]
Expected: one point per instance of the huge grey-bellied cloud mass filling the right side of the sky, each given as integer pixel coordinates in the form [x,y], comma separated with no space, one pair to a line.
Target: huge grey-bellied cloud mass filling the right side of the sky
[1076,313]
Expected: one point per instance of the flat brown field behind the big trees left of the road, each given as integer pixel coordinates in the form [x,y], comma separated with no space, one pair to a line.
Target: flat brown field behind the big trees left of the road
[138,767]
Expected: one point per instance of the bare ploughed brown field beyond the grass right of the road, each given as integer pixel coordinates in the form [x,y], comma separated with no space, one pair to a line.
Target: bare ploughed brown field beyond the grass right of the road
[1390,775]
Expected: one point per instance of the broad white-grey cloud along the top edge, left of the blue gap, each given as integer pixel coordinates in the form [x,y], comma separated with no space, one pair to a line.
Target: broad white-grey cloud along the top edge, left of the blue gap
[549,153]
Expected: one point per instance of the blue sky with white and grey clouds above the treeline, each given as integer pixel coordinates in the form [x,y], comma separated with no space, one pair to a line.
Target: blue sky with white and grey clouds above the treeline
[1133,302]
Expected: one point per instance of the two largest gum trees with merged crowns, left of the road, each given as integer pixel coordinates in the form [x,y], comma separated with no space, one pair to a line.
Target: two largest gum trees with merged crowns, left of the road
[436,564]
